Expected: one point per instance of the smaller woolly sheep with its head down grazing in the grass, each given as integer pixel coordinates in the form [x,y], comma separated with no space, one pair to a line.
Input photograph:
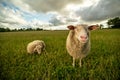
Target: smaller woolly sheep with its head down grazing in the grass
[36,46]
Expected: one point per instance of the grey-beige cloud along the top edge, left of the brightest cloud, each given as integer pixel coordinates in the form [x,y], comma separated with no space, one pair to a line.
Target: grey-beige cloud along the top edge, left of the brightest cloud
[50,5]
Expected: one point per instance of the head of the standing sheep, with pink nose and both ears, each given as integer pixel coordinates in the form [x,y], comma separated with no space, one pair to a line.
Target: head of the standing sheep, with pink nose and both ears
[81,32]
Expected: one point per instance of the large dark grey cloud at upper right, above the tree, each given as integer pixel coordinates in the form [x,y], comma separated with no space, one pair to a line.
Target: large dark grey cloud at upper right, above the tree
[103,10]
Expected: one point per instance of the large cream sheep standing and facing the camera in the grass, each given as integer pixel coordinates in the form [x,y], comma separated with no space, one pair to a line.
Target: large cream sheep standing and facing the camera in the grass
[78,42]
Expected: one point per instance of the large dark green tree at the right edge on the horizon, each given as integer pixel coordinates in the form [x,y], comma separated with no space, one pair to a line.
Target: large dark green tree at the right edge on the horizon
[114,23]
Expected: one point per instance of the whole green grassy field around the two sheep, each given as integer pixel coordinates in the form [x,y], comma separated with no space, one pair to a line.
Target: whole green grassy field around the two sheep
[103,62]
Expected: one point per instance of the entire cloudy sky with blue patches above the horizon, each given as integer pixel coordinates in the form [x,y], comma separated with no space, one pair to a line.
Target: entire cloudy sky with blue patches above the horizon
[56,13]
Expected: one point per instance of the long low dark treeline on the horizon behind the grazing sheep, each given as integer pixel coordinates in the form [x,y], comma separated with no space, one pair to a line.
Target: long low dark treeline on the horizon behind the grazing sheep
[22,29]
